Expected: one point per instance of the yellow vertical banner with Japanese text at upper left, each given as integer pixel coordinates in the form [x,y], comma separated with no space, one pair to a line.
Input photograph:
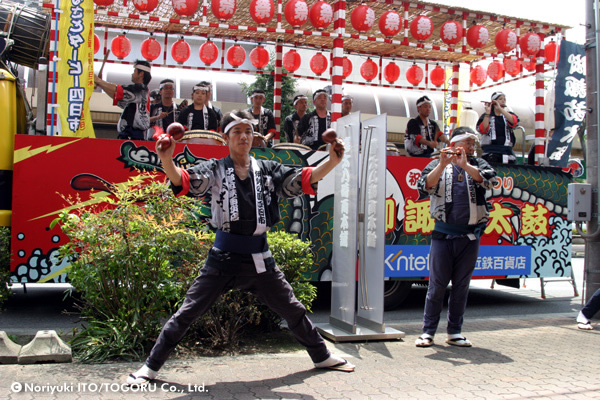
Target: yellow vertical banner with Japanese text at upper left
[75,67]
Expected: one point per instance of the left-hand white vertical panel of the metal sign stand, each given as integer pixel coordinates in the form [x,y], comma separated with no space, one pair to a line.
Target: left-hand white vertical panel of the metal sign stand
[345,223]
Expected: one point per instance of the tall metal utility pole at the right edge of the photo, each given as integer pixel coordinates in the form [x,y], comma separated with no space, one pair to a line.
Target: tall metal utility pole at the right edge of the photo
[592,269]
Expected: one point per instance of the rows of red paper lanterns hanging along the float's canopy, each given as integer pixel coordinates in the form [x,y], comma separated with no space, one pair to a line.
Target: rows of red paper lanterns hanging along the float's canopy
[362,18]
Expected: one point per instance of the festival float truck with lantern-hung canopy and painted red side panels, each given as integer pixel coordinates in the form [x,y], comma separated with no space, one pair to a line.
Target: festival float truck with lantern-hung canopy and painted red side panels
[528,234]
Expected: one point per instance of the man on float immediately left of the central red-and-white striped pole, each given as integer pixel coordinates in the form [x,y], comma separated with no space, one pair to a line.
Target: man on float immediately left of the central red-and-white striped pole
[313,124]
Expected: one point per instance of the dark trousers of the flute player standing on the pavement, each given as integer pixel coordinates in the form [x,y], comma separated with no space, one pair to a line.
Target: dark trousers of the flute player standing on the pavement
[449,260]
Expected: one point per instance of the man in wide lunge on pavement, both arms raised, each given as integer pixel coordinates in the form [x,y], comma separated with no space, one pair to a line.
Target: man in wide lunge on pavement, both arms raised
[244,211]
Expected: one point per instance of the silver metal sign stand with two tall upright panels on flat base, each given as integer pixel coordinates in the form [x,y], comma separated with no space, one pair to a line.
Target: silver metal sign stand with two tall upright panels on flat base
[359,228]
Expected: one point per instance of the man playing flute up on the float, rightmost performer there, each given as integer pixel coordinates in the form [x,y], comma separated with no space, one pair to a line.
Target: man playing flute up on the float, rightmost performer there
[496,126]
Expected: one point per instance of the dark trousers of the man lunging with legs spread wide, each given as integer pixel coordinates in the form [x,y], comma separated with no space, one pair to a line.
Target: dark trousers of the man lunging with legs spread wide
[270,288]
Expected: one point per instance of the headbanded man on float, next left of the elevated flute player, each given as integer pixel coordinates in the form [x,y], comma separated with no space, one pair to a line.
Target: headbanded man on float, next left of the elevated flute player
[423,135]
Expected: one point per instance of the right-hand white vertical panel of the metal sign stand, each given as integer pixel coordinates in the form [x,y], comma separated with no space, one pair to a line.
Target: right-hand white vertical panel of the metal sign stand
[372,223]
